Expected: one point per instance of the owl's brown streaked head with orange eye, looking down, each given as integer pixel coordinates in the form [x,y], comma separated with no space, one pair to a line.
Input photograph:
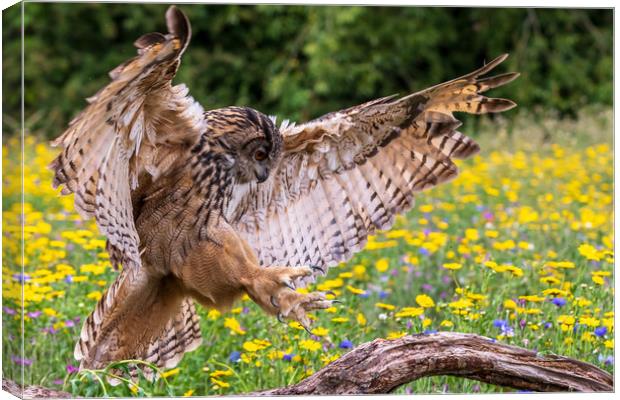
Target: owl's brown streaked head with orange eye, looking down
[250,139]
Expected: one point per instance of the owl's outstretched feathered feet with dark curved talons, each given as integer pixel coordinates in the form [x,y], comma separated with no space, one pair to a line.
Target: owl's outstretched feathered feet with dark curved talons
[272,288]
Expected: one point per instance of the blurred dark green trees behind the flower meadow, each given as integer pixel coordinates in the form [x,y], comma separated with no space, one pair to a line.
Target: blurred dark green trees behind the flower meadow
[299,62]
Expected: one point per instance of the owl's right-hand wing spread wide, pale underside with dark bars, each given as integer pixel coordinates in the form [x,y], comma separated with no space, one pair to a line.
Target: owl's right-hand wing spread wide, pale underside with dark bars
[348,173]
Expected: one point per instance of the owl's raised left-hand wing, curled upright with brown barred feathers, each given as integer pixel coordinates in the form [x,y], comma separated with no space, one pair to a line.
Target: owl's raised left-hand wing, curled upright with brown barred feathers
[136,124]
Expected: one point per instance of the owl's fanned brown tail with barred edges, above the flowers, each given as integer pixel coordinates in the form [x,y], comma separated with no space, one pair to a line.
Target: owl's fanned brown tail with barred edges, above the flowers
[139,317]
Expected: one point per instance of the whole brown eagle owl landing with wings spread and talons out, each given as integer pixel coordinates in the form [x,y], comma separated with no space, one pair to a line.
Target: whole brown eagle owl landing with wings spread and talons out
[206,206]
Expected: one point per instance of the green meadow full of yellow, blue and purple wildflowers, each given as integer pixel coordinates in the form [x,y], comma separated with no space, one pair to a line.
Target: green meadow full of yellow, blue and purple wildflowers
[518,248]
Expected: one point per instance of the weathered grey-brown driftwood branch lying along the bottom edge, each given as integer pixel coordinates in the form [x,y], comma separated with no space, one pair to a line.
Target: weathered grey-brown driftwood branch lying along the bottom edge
[382,365]
